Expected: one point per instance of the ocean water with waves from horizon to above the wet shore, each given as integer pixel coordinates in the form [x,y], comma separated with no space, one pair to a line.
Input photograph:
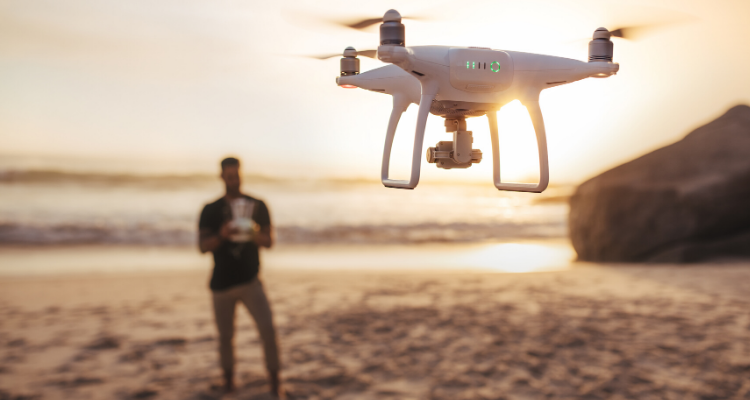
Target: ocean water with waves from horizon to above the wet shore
[65,208]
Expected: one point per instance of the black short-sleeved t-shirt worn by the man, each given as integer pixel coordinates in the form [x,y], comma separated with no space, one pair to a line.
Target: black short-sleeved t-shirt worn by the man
[234,263]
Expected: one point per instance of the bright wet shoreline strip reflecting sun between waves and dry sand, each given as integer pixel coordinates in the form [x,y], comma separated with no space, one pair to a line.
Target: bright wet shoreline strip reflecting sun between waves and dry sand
[501,256]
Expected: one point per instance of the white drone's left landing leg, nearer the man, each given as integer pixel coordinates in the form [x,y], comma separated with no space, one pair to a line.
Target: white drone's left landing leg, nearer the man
[398,108]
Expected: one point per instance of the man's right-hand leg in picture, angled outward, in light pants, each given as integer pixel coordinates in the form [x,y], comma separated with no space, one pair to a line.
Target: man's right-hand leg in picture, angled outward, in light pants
[254,298]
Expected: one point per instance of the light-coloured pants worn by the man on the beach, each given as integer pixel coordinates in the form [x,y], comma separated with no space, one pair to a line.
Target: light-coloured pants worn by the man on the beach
[254,297]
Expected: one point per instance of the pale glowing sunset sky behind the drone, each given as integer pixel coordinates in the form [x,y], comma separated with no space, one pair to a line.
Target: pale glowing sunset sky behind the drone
[174,85]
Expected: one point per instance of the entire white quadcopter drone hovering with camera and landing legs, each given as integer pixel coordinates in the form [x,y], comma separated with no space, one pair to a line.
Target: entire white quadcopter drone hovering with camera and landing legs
[460,82]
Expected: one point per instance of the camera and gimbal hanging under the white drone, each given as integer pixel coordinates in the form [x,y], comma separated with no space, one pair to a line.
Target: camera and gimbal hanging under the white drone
[458,153]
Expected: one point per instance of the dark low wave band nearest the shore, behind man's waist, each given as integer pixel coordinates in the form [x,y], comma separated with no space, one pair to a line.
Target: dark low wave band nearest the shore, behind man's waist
[144,234]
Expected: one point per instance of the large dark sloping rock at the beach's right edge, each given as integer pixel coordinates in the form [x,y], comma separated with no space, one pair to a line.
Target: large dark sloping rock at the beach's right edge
[688,201]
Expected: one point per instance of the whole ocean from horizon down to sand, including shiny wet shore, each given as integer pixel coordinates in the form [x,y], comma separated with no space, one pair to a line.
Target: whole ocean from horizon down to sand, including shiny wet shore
[89,221]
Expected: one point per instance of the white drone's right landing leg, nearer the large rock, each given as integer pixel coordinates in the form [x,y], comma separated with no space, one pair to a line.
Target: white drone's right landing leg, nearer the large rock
[535,112]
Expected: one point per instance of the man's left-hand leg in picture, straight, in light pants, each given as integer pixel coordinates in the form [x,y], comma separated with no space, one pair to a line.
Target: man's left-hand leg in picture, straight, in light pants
[224,304]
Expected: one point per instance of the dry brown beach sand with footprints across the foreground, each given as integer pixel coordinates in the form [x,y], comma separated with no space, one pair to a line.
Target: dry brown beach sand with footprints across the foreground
[586,332]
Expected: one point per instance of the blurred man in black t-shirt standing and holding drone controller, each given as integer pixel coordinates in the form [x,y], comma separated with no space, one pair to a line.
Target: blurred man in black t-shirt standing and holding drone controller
[233,228]
